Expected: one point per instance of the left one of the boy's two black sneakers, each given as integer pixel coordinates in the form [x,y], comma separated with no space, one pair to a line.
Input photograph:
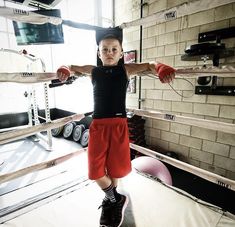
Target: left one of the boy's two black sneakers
[105,213]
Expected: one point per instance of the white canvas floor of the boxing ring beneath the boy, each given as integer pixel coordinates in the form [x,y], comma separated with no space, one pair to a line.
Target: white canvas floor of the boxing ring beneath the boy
[152,203]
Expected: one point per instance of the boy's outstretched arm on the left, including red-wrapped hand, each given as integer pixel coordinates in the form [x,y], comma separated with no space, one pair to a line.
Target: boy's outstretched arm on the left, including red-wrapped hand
[64,72]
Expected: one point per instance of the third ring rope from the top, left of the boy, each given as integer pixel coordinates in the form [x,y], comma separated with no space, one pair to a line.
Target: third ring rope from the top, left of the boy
[9,136]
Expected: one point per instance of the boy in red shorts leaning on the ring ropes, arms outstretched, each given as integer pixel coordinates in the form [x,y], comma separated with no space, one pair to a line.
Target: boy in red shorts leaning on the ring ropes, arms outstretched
[108,148]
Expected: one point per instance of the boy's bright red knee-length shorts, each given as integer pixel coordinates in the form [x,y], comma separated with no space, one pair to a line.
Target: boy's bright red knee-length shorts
[108,148]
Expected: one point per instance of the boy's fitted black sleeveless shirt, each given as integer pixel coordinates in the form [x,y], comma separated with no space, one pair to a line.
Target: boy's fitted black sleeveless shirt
[109,91]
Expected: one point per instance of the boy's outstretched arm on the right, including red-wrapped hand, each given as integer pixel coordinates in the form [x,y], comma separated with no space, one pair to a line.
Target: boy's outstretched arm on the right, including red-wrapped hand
[165,73]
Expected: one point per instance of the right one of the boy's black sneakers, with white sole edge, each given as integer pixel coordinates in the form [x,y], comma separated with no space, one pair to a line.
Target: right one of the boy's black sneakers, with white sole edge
[117,211]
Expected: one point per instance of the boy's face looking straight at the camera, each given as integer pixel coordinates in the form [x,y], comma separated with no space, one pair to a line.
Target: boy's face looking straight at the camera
[110,51]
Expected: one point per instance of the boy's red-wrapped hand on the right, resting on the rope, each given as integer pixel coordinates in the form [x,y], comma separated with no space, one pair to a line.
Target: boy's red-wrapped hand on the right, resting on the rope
[165,73]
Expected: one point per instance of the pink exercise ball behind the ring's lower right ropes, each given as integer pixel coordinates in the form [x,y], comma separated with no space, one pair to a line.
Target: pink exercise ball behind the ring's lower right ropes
[153,167]
